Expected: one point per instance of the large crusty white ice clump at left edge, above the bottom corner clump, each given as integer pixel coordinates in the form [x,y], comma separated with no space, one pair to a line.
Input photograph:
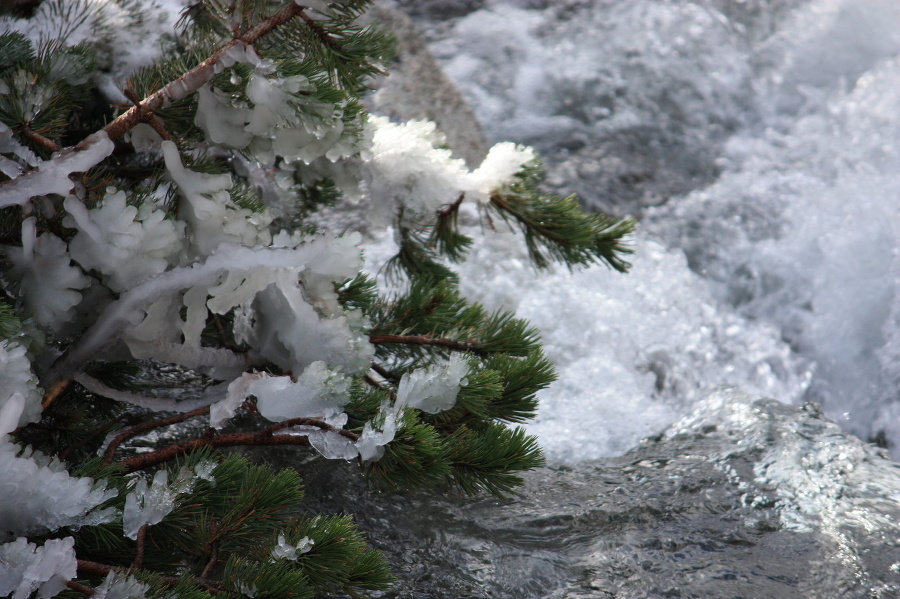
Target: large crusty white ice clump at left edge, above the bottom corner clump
[36,492]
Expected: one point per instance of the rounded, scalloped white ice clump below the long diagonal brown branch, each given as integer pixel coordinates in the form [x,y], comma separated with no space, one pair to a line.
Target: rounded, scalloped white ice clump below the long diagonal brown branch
[125,243]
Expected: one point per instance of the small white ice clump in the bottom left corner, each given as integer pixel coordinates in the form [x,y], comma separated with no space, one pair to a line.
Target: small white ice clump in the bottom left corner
[26,568]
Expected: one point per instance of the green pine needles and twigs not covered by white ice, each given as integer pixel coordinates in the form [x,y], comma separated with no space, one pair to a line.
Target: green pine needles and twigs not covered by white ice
[235,528]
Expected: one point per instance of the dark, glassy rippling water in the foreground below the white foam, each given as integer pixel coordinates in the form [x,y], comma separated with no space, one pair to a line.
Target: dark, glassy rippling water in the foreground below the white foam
[743,498]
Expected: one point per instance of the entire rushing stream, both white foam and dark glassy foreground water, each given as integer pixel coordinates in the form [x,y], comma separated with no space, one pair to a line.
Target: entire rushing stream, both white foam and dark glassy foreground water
[758,141]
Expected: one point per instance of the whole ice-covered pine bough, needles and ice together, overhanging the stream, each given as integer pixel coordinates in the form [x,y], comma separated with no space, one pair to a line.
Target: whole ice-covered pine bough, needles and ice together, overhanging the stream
[161,187]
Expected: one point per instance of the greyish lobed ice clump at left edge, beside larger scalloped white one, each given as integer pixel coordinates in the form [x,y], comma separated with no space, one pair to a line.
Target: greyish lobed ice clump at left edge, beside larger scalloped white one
[44,276]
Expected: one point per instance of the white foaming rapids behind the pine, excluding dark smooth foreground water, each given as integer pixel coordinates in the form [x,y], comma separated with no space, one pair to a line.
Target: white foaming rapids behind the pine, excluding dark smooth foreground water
[792,243]
